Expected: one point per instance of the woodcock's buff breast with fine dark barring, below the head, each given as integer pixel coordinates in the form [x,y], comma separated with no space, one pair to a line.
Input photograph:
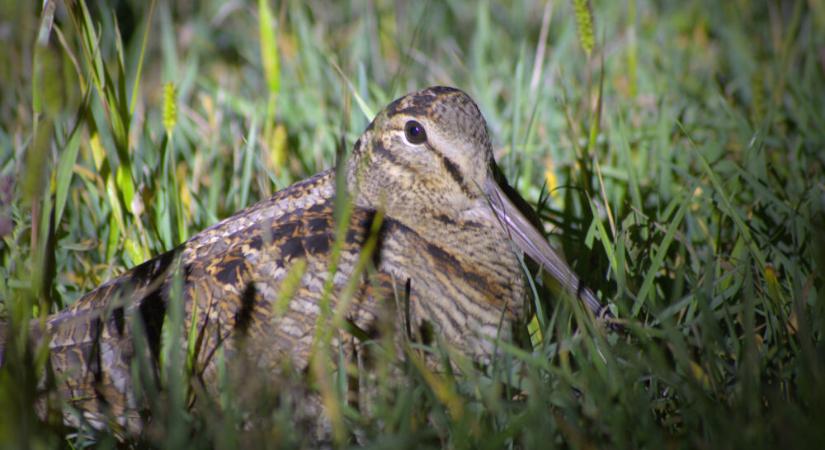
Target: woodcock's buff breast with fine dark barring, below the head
[464,276]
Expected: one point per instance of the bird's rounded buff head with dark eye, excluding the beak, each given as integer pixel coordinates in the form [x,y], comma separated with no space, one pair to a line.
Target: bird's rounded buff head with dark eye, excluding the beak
[428,151]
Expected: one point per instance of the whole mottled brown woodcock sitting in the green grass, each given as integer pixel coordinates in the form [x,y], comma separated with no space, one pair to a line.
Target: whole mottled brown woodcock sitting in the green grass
[429,223]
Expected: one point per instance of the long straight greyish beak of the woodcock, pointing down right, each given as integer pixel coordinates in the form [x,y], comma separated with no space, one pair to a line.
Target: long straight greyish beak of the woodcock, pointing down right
[531,242]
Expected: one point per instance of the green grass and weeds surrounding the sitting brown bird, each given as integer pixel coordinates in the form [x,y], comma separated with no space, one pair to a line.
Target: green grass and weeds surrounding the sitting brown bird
[677,147]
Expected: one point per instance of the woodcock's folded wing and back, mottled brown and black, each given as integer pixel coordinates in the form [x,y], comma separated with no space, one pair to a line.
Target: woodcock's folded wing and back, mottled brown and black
[231,279]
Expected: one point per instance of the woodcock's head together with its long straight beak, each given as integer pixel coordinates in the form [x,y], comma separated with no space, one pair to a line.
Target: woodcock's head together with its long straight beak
[428,154]
